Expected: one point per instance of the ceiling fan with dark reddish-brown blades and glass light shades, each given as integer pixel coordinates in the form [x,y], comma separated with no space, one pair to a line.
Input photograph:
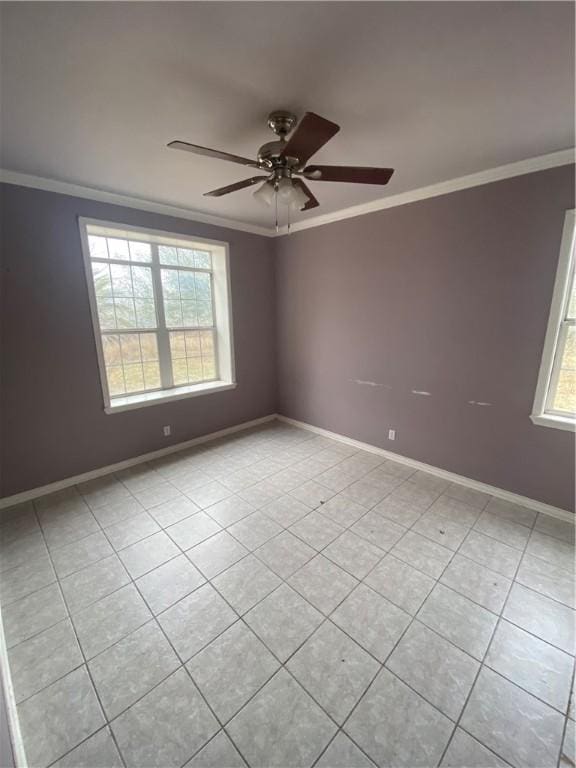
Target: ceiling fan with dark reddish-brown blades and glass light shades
[284,162]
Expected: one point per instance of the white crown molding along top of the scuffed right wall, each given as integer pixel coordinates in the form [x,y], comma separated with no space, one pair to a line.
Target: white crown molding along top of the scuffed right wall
[531,165]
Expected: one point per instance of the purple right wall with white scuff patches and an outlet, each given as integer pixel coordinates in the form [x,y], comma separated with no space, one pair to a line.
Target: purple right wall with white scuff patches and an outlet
[449,295]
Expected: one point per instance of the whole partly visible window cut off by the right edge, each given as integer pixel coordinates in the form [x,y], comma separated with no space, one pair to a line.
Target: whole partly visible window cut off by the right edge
[555,401]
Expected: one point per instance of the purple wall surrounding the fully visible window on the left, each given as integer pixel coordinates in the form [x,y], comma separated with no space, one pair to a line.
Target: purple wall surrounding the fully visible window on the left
[53,422]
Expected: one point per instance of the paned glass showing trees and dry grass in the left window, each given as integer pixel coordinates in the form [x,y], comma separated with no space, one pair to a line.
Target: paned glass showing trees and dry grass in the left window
[155,311]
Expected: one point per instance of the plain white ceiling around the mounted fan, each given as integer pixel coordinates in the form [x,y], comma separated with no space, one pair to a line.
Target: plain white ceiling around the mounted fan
[92,92]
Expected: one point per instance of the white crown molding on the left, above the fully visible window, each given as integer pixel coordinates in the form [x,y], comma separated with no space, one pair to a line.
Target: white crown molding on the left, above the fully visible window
[115,198]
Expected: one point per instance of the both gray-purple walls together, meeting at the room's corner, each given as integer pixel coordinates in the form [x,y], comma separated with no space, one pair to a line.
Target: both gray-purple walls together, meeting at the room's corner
[449,296]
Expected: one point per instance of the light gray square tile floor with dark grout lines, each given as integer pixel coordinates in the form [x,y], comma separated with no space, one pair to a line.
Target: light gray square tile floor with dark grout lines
[280,599]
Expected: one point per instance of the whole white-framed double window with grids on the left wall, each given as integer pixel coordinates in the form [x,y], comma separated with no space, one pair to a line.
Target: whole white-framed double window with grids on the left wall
[161,312]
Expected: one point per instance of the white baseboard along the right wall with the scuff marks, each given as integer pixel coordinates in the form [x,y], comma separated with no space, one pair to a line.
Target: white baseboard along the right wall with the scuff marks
[500,493]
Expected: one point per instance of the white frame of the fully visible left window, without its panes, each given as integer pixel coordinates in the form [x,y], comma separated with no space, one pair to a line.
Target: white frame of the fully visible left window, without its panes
[222,307]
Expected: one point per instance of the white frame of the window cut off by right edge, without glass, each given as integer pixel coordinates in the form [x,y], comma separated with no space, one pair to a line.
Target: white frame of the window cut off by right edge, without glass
[542,413]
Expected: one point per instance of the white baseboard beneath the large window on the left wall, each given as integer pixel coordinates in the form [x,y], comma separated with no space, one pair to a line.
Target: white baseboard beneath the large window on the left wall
[34,493]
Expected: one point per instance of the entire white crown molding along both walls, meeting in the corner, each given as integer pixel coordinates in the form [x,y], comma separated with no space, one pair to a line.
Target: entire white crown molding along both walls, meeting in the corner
[520,168]
